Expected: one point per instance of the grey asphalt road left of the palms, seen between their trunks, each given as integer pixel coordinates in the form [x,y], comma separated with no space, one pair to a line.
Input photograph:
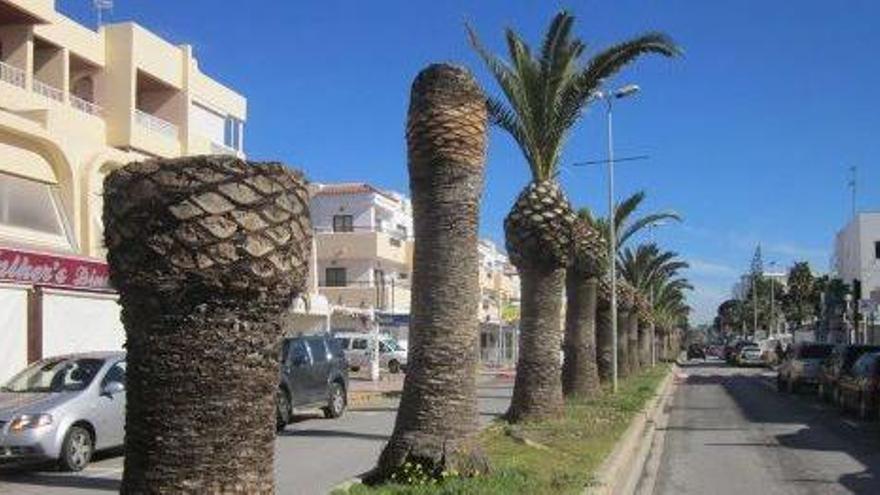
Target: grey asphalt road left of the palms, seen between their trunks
[311,456]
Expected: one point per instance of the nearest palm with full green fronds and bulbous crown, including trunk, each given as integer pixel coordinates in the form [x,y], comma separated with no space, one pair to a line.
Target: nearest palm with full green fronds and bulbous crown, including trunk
[544,95]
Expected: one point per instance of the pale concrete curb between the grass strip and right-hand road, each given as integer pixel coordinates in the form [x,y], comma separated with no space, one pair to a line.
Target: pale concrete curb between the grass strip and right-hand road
[621,472]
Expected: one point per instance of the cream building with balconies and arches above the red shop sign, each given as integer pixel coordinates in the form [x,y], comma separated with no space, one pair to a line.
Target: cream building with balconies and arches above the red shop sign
[76,104]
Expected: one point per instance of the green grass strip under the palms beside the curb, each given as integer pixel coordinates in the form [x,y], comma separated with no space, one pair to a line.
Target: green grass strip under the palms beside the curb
[567,453]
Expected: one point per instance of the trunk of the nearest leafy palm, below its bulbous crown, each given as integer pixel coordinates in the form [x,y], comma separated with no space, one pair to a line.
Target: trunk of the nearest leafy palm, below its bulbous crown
[537,391]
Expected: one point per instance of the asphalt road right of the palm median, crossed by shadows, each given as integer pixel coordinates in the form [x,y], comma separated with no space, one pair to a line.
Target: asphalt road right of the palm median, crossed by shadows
[731,432]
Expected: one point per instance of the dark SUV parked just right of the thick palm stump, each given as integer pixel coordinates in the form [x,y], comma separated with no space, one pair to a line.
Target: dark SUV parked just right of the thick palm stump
[314,373]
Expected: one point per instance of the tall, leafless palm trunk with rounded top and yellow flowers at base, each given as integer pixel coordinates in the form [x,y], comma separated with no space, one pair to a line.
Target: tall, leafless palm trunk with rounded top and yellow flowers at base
[437,418]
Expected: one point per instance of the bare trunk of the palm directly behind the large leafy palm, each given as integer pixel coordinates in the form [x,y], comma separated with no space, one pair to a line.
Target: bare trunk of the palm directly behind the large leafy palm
[580,375]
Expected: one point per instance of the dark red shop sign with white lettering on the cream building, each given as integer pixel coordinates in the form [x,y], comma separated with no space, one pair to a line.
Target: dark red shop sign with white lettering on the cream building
[53,271]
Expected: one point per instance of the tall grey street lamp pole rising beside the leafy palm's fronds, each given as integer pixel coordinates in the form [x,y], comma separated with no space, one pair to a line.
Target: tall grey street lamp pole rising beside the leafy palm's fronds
[609,97]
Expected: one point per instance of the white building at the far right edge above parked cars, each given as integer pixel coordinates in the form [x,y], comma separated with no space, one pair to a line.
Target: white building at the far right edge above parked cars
[857,254]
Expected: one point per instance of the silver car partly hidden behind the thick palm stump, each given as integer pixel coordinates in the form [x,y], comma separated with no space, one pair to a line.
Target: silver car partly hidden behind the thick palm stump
[64,408]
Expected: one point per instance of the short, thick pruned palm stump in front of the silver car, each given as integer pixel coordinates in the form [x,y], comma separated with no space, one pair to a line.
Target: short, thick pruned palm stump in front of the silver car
[206,253]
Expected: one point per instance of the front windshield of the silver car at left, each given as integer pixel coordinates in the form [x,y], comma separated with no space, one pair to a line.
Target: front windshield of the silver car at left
[56,375]
